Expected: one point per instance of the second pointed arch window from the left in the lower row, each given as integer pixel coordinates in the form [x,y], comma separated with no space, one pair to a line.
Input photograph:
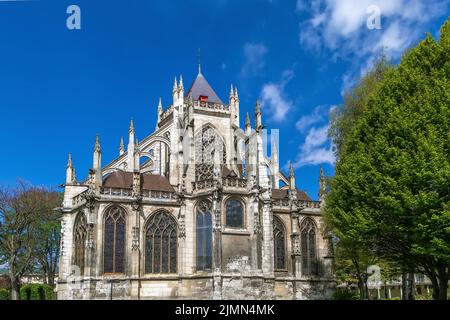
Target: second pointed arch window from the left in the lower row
[114,241]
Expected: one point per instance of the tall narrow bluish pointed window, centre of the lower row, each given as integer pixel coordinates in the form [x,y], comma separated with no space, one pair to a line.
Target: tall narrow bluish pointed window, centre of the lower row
[204,236]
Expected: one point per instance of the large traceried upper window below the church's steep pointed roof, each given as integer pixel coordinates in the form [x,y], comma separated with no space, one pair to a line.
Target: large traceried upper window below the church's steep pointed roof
[209,147]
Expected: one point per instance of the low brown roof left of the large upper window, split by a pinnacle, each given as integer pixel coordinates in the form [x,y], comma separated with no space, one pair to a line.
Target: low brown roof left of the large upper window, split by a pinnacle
[124,180]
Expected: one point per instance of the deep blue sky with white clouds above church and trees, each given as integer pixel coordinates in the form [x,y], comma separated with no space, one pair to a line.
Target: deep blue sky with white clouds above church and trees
[60,87]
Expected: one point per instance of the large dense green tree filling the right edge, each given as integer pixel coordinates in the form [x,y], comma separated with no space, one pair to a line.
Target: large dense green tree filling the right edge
[392,183]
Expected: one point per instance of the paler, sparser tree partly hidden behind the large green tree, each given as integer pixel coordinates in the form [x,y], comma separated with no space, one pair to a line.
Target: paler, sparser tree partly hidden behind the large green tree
[353,255]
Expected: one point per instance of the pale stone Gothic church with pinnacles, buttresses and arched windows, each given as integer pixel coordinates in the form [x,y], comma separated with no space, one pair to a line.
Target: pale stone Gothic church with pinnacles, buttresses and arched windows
[196,210]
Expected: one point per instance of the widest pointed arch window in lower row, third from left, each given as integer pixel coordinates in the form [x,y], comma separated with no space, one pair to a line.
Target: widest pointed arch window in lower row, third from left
[161,244]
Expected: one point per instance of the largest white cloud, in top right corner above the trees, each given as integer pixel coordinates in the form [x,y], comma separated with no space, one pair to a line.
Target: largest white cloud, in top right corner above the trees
[341,27]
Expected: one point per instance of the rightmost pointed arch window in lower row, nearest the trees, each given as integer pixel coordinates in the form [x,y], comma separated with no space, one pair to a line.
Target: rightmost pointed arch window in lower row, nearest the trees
[308,247]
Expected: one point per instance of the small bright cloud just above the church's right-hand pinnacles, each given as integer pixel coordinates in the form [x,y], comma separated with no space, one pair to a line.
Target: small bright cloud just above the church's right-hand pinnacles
[273,97]
